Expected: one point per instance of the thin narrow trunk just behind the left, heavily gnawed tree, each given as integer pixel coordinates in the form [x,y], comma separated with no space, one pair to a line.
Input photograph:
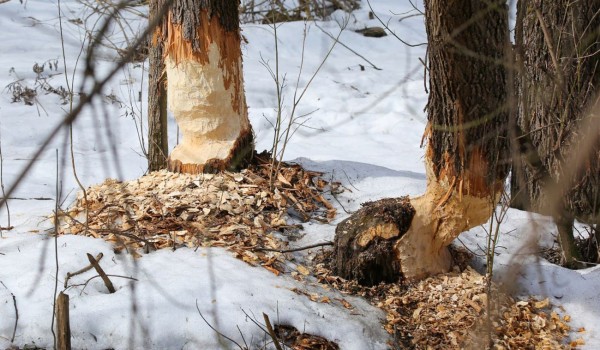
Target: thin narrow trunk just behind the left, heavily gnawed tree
[158,141]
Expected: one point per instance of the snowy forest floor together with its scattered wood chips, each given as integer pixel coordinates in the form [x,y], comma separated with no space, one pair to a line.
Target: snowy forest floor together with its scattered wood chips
[194,259]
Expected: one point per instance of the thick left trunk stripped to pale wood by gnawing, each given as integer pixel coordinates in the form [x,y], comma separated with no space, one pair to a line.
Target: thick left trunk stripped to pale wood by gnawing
[205,86]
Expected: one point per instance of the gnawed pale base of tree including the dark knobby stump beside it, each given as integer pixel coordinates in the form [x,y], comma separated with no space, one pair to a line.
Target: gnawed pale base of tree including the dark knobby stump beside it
[407,239]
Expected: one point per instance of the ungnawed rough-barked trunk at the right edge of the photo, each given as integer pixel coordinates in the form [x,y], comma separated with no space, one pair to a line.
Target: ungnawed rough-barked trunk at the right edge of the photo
[558,61]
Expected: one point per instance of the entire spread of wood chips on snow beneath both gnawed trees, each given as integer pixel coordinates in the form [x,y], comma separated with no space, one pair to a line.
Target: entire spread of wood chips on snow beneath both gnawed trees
[245,214]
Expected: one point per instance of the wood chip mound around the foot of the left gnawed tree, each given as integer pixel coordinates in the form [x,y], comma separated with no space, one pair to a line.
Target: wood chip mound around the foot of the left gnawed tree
[239,211]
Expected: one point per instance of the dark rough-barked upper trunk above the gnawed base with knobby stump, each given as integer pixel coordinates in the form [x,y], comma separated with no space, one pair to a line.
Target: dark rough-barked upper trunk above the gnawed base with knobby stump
[467,111]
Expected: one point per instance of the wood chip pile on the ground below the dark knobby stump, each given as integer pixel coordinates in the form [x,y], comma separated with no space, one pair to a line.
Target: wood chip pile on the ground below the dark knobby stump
[449,312]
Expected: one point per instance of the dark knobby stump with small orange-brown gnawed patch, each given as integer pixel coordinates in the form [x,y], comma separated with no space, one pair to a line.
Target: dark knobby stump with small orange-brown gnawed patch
[364,247]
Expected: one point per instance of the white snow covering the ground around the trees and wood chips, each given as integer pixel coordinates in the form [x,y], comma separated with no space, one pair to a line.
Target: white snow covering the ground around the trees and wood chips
[364,130]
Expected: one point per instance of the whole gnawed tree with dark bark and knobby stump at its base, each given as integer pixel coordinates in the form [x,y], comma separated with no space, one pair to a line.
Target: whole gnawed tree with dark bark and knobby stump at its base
[466,157]
